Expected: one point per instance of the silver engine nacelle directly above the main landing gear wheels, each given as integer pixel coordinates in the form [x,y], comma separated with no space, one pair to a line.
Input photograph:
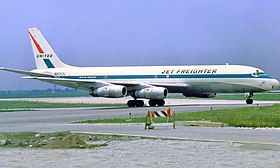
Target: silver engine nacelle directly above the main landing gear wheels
[151,93]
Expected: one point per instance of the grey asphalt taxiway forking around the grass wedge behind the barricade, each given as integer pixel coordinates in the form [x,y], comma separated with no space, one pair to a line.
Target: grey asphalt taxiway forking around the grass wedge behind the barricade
[50,120]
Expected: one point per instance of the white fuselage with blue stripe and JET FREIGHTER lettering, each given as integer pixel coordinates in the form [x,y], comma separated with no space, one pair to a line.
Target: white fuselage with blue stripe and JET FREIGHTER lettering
[198,79]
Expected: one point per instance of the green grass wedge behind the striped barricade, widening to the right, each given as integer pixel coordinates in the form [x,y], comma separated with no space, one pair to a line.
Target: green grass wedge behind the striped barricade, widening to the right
[259,116]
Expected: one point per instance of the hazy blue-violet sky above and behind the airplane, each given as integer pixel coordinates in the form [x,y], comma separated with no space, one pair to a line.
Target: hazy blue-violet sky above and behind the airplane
[140,32]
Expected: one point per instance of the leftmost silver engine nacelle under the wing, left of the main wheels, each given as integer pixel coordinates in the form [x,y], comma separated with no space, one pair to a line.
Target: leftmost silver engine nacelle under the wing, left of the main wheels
[114,91]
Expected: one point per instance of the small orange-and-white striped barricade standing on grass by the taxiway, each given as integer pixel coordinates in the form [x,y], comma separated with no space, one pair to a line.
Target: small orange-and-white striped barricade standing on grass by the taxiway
[170,119]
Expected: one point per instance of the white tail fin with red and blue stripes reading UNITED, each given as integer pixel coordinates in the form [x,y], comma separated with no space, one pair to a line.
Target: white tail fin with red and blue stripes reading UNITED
[44,55]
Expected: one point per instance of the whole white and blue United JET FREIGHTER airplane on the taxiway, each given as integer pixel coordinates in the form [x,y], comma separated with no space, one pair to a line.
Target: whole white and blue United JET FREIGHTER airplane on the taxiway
[145,82]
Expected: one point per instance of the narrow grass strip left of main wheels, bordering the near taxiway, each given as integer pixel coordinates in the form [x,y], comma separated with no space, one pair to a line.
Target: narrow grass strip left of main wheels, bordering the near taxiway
[6,106]
